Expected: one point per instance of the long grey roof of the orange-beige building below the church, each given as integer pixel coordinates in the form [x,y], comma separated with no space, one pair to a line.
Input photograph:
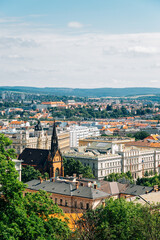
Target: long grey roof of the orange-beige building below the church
[67,188]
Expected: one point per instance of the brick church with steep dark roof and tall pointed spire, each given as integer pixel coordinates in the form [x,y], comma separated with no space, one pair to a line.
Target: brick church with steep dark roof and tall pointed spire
[49,161]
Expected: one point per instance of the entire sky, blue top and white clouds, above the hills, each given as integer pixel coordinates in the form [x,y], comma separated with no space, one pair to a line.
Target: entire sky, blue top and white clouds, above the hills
[80,43]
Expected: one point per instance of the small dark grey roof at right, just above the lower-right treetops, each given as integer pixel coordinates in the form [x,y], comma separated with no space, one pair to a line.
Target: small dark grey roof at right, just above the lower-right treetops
[137,190]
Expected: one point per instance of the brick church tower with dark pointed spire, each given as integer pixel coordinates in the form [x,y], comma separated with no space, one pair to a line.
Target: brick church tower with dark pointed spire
[56,160]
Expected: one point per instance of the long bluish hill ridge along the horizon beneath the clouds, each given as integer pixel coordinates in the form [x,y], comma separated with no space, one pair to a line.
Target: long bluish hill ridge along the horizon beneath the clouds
[79,92]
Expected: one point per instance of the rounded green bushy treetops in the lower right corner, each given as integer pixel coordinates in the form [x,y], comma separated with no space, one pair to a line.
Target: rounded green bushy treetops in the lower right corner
[120,220]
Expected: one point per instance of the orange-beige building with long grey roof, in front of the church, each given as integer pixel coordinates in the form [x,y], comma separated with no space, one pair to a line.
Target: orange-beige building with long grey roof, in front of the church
[71,195]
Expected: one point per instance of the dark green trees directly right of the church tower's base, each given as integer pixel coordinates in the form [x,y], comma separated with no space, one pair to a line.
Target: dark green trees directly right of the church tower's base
[72,166]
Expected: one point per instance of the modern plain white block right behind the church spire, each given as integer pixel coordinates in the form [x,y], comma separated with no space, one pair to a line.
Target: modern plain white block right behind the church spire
[80,132]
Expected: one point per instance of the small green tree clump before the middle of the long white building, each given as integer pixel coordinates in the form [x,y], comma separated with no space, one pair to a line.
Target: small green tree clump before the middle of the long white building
[118,176]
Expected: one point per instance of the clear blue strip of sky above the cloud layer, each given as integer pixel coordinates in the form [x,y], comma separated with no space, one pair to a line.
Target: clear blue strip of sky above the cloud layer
[110,16]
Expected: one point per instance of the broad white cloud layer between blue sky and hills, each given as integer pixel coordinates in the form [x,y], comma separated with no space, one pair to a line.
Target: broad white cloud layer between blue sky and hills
[46,57]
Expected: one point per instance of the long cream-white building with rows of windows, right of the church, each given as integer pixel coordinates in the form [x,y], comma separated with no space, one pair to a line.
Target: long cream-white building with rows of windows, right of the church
[133,159]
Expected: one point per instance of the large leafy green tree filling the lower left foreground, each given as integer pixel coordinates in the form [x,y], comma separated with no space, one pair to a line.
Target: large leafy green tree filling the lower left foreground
[25,217]
